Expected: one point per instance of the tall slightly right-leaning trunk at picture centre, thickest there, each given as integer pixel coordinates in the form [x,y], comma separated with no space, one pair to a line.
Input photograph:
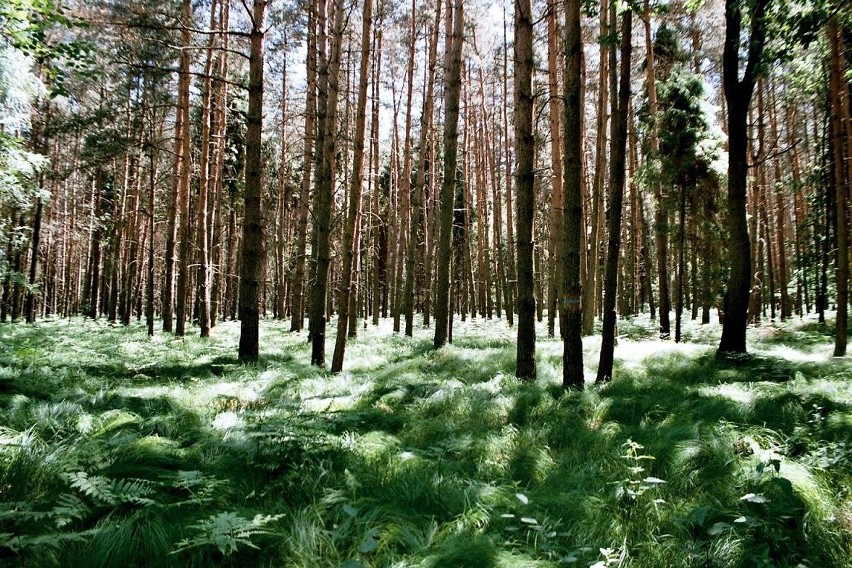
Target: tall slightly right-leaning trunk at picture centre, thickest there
[452,93]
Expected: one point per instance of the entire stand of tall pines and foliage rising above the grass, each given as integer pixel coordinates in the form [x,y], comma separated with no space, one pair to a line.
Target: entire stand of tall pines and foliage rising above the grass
[576,161]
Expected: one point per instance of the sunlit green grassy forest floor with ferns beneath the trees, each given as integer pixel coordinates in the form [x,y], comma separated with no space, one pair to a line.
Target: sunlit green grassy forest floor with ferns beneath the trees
[120,450]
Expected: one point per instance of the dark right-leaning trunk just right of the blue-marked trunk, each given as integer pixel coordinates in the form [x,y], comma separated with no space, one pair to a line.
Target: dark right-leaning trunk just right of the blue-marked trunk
[617,179]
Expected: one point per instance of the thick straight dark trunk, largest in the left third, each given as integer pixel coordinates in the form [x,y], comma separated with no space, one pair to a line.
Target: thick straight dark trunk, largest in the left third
[251,270]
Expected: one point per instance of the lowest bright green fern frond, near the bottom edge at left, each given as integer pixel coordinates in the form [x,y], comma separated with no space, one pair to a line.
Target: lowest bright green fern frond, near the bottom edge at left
[227,531]
